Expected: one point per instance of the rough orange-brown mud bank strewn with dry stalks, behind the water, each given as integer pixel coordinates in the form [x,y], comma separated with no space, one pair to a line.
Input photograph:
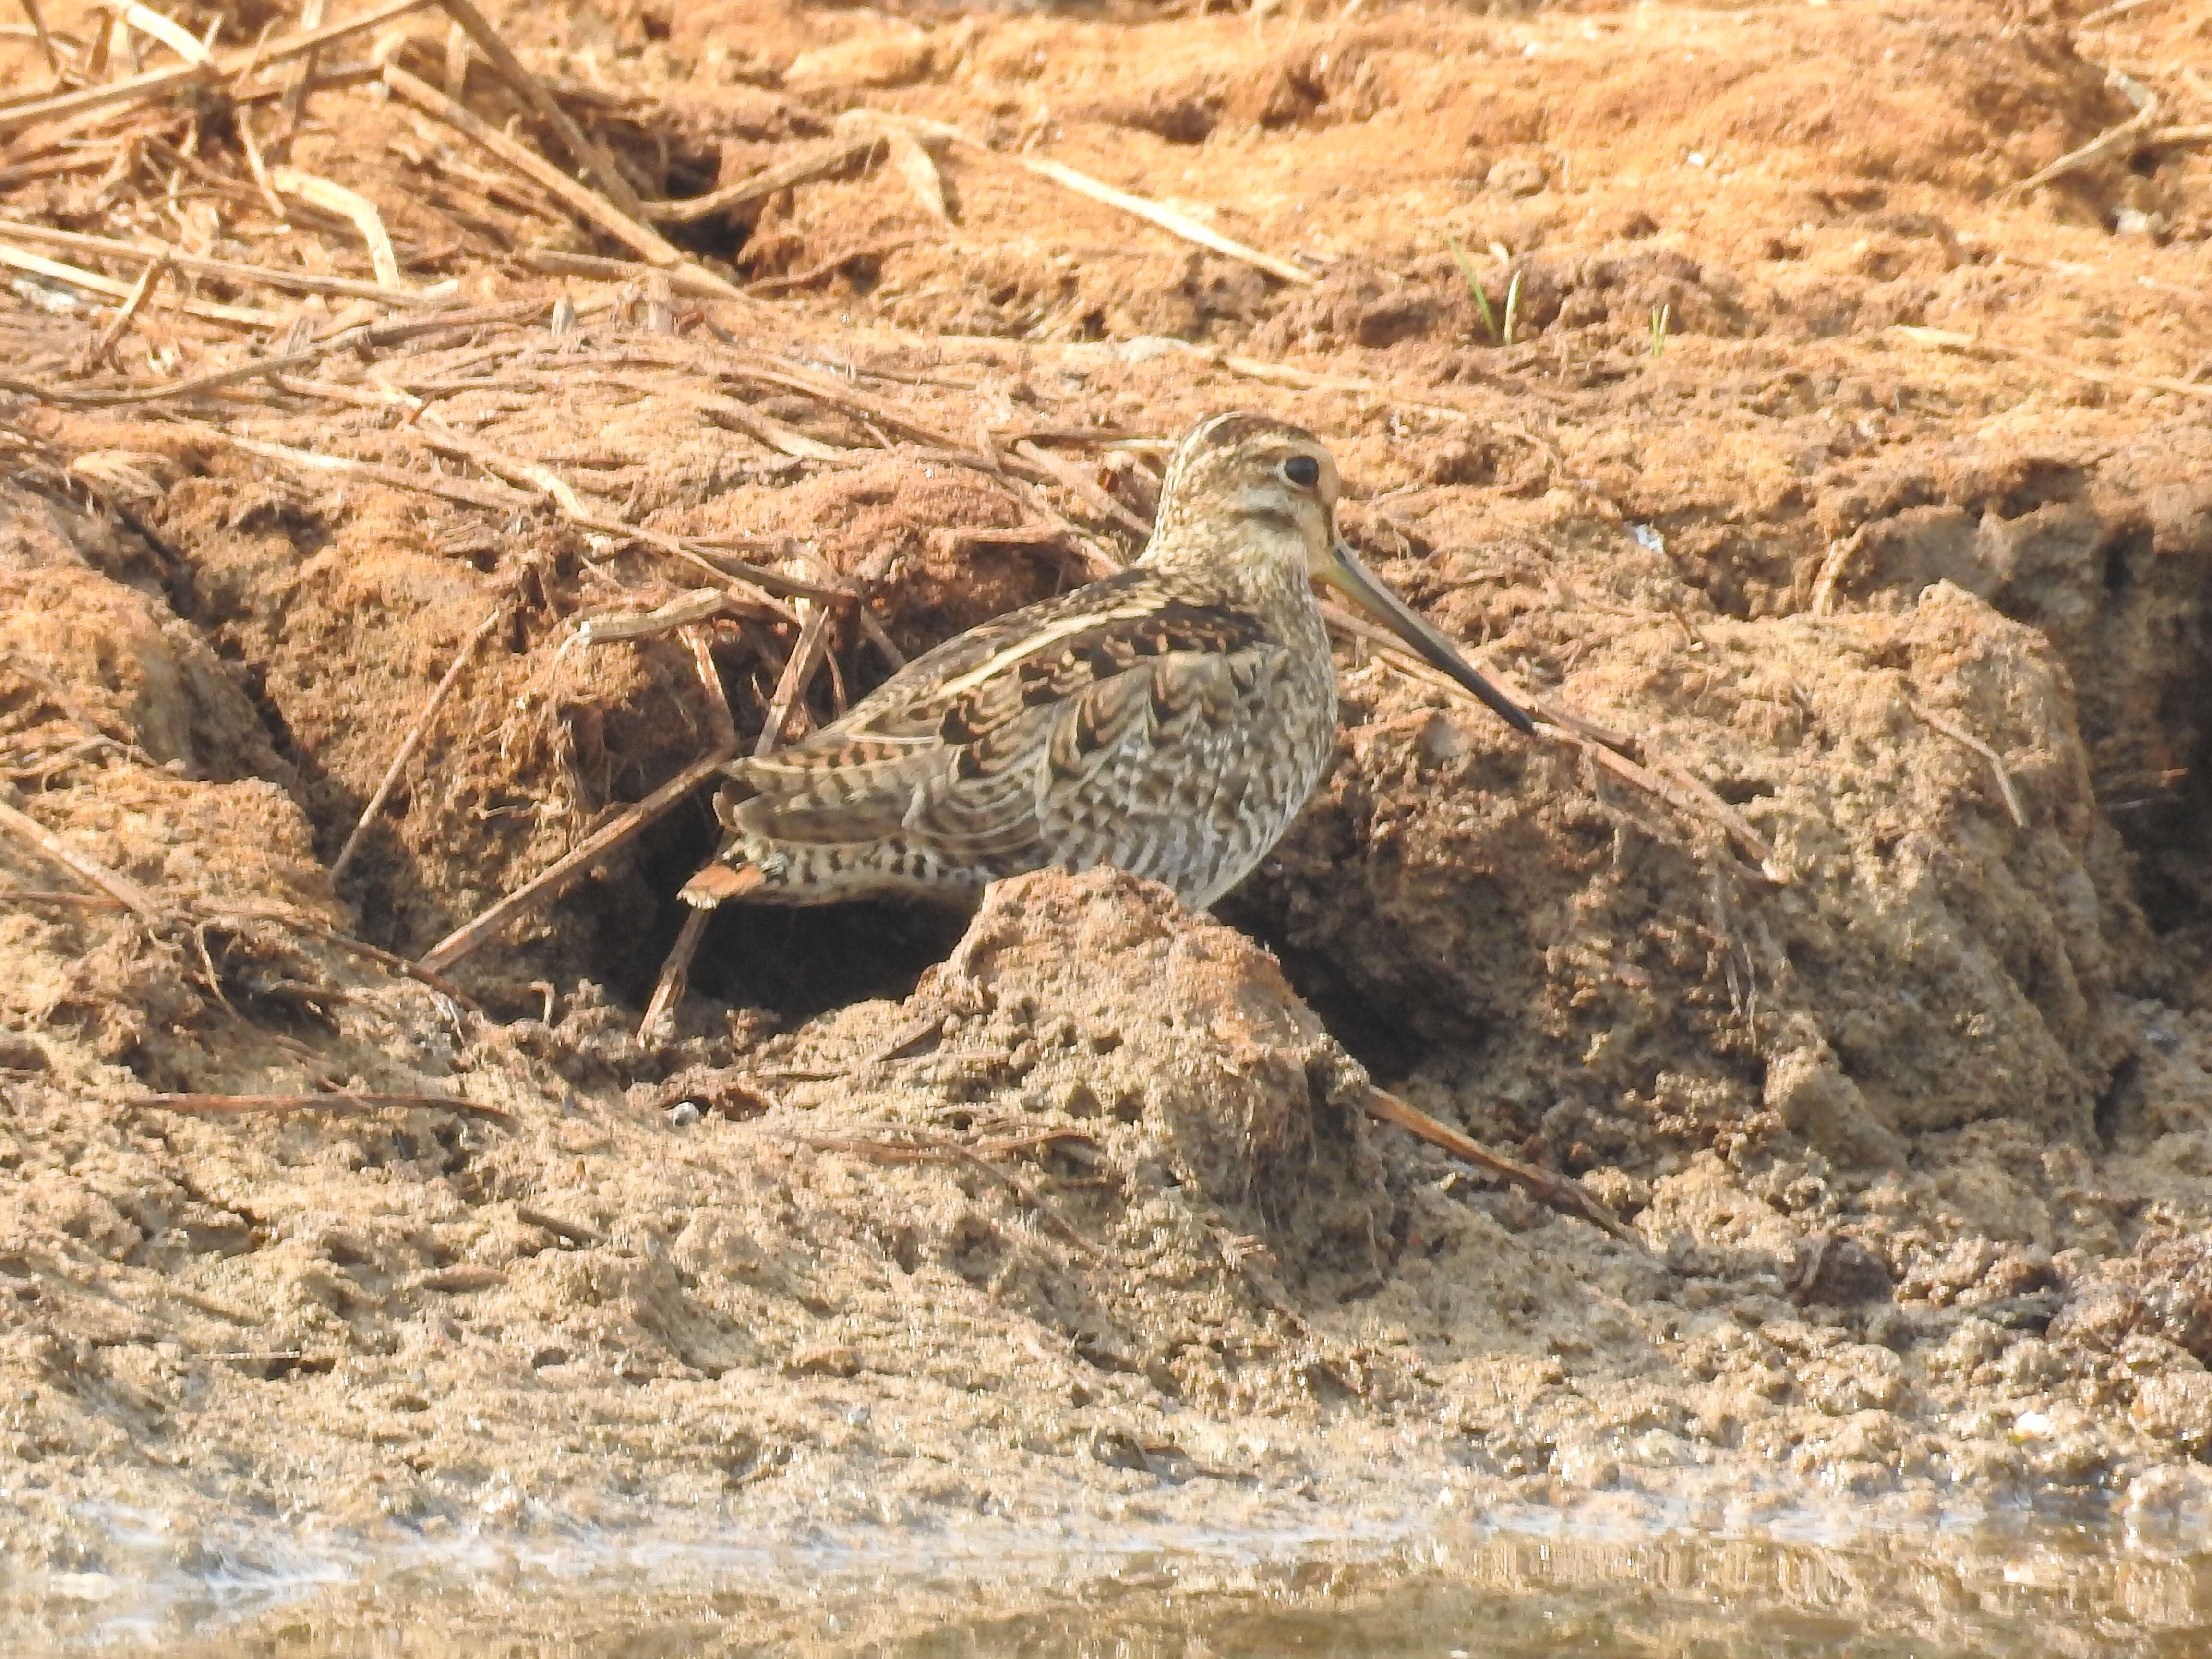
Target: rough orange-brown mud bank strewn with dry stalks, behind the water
[1868,974]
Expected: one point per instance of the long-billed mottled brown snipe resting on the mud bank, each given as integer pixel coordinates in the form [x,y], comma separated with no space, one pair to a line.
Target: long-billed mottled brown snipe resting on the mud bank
[1169,720]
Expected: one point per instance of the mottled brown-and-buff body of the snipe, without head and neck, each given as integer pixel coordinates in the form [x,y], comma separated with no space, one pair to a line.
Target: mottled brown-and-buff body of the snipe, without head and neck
[1147,722]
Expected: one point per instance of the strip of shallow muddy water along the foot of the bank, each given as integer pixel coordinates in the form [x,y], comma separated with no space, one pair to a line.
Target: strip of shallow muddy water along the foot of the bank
[1992,1592]
